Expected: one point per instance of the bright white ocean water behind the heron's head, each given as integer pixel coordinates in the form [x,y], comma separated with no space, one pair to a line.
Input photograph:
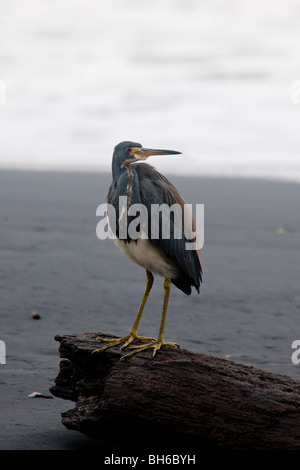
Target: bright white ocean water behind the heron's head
[217,80]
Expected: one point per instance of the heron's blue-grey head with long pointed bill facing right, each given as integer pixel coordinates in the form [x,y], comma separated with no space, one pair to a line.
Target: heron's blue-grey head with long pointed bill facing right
[130,152]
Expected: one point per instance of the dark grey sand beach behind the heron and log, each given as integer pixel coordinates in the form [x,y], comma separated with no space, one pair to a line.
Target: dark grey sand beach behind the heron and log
[53,263]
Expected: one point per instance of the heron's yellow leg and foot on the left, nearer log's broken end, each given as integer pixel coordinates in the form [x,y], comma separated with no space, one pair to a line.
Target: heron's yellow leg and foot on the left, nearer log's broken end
[133,333]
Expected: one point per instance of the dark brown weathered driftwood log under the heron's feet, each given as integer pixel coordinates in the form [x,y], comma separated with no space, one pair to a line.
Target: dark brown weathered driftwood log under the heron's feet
[177,401]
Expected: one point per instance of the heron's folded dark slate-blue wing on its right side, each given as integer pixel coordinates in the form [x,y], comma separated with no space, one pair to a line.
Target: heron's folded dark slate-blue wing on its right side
[156,190]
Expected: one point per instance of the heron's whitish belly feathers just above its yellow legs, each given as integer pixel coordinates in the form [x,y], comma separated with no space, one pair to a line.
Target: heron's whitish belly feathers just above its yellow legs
[150,257]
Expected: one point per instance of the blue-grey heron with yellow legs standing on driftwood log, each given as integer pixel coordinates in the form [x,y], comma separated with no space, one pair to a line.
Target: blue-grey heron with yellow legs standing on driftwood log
[141,184]
